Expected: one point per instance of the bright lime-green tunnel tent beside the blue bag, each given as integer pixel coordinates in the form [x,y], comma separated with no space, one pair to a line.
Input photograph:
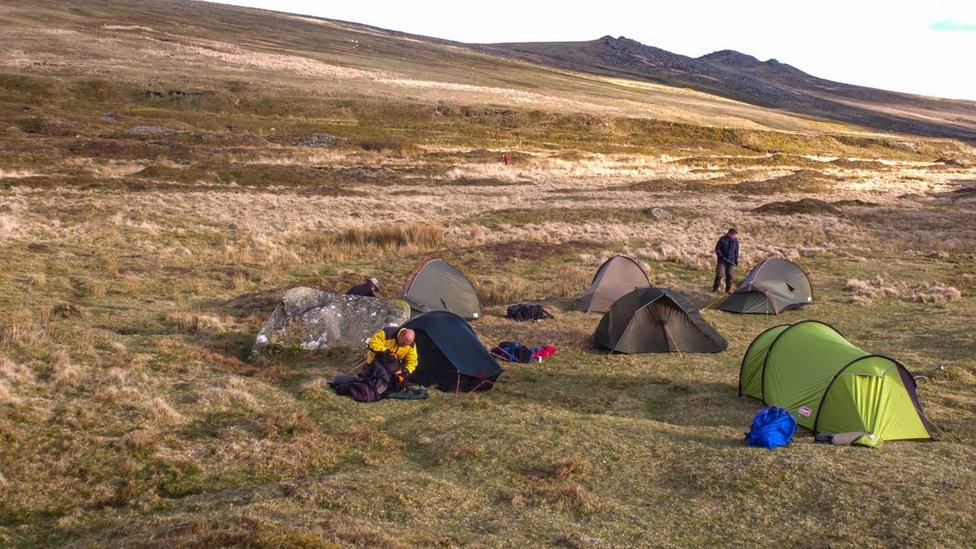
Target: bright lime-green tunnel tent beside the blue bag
[833,386]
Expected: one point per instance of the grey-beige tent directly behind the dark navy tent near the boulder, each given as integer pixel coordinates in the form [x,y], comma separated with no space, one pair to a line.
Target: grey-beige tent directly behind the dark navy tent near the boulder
[438,286]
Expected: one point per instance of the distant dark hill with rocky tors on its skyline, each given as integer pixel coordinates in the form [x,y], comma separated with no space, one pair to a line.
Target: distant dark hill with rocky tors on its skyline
[770,84]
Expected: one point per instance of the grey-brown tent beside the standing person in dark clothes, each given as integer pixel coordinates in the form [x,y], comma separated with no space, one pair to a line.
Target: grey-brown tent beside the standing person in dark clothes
[772,286]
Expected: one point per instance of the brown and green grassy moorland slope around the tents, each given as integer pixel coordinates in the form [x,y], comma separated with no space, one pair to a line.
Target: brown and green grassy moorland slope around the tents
[168,169]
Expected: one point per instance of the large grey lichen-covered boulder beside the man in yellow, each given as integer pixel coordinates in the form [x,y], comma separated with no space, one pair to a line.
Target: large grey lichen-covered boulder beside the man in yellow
[310,319]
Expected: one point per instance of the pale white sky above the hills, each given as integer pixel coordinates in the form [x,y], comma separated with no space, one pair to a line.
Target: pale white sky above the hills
[924,46]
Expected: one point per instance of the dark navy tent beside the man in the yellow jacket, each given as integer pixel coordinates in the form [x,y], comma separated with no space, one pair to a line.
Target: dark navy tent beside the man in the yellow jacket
[450,355]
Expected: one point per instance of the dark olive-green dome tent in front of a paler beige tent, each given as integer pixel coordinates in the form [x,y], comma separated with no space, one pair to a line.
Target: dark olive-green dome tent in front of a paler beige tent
[657,320]
